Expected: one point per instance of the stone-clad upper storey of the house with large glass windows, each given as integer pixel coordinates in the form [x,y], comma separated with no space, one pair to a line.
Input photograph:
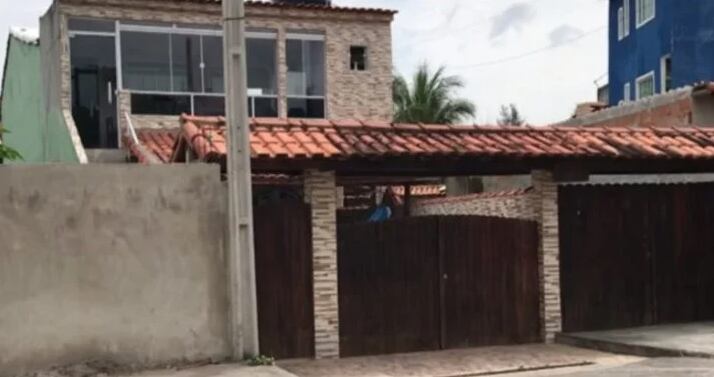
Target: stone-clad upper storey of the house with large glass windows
[107,64]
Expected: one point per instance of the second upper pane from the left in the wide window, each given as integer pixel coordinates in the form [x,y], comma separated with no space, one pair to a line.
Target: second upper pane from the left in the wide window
[186,63]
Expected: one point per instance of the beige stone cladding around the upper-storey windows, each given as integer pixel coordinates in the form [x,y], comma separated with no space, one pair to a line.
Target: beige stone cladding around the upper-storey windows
[349,94]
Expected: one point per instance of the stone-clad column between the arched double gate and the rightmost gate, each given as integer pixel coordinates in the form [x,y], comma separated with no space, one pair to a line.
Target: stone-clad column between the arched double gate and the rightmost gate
[546,209]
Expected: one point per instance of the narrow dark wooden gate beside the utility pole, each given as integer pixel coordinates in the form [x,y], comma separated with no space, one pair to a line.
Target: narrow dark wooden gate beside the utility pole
[283,259]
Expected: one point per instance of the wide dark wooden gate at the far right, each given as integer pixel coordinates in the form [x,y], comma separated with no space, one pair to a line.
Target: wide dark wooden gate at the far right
[636,255]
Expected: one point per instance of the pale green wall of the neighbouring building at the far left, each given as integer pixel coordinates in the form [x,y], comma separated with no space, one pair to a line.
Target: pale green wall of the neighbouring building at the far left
[22,100]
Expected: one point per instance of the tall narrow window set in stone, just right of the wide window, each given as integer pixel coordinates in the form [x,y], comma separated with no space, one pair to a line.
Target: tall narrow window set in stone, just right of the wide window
[306,76]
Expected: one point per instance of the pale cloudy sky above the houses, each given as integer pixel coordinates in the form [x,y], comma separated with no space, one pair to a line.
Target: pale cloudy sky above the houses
[544,56]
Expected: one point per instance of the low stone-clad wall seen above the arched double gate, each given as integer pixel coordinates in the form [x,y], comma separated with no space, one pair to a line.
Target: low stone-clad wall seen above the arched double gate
[516,204]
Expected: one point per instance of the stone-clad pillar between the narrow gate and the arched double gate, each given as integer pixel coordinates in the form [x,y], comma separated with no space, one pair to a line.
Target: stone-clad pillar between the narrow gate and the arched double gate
[320,193]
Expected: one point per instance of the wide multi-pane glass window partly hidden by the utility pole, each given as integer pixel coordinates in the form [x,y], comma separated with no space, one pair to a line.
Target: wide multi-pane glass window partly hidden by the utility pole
[185,63]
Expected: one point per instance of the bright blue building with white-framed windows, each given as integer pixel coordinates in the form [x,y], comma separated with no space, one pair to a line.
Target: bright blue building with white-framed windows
[658,45]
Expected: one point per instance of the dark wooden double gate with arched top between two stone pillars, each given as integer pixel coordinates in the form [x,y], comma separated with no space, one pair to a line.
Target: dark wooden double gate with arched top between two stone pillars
[429,283]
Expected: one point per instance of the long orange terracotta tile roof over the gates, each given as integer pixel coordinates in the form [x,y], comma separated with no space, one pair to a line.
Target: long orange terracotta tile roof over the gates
[308,139]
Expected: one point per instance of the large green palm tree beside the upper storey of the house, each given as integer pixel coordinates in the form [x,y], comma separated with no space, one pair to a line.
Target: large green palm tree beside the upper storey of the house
[431,99]
